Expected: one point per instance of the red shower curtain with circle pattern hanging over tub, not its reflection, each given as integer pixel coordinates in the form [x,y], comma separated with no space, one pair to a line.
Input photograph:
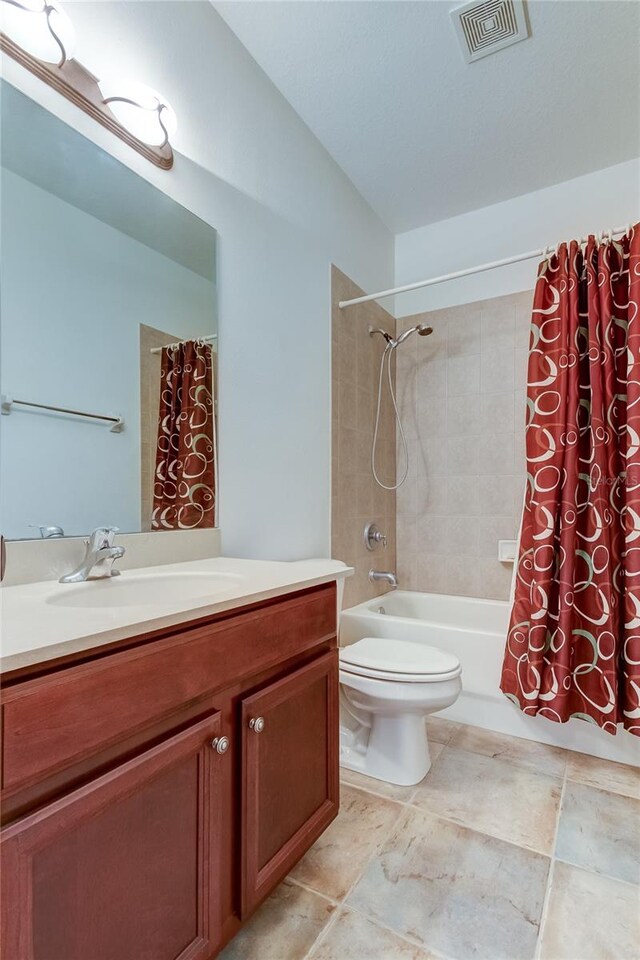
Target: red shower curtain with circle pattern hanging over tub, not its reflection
[573,647]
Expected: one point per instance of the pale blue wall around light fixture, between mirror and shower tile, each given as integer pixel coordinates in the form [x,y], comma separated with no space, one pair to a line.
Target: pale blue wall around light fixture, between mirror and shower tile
[284,211]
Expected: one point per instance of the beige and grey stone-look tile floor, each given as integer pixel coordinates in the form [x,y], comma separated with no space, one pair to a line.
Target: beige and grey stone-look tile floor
[507,850]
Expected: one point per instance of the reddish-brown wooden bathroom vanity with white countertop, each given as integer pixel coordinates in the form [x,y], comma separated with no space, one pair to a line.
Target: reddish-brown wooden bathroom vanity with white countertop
[156,786]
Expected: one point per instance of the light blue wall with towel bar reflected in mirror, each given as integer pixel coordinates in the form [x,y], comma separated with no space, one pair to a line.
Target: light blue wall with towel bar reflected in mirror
[72,339]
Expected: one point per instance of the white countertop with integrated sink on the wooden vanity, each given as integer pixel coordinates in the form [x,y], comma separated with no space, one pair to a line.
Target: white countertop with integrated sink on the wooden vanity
[45,620]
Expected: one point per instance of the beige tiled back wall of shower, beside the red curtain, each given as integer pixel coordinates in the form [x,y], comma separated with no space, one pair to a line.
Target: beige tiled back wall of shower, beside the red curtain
[462,399]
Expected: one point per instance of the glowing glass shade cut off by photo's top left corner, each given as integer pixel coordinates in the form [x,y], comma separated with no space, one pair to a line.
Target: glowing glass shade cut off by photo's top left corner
[39,28]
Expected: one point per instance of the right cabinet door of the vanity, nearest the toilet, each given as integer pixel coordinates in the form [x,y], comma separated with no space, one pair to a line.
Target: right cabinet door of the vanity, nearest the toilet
[290,772]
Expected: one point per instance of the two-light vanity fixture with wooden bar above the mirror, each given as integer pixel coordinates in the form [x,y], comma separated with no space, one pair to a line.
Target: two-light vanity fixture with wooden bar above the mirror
[40,37]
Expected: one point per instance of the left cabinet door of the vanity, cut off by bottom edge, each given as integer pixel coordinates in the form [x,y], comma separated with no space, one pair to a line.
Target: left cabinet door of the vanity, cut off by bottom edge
[125,866]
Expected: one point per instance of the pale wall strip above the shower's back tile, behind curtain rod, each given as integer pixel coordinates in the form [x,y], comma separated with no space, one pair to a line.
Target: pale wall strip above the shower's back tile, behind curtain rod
[597,201]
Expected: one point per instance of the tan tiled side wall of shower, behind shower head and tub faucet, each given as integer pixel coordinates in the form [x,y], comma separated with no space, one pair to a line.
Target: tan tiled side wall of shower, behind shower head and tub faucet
[356,498]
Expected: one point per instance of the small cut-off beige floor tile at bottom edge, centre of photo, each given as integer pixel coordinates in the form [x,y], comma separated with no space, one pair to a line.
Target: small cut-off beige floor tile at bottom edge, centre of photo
[353,937]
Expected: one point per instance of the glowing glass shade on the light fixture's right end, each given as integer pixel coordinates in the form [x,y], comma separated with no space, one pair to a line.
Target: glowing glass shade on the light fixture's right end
[141,110]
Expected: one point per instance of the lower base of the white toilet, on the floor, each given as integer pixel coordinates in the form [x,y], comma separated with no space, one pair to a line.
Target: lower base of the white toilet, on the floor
[394,748]
